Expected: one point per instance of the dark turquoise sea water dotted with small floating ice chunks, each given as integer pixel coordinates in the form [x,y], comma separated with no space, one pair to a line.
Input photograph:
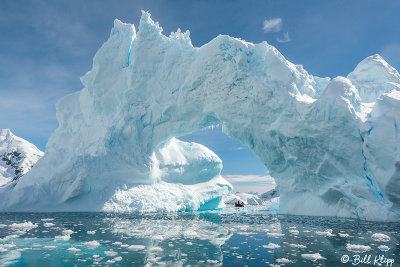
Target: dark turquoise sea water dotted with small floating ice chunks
[231,237]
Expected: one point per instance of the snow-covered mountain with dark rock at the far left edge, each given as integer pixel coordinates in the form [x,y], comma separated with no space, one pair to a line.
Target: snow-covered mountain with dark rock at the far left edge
[17,156]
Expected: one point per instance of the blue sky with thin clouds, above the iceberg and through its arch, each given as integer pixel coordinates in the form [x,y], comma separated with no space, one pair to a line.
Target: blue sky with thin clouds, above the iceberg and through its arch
[47,45]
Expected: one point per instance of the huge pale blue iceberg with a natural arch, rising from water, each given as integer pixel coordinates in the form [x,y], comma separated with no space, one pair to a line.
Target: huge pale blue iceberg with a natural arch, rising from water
[115,141]
